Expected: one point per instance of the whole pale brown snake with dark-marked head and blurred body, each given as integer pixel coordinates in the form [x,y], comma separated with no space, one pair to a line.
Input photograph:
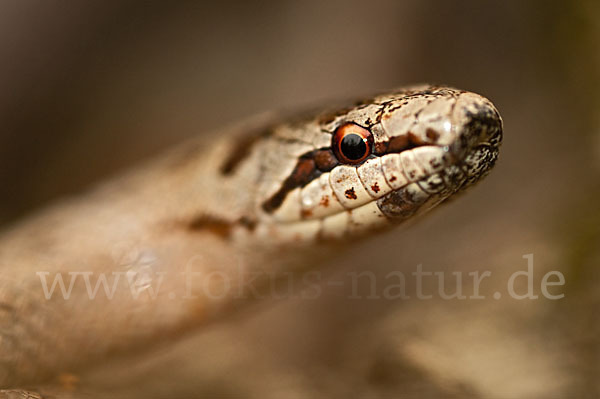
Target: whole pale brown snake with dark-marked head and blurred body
[266,195]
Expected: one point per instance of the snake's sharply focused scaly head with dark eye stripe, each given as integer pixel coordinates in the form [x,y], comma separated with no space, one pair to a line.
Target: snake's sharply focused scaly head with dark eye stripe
[377,163]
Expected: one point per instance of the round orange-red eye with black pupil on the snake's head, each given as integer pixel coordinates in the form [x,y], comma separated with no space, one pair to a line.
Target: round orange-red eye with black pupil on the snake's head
[352,143]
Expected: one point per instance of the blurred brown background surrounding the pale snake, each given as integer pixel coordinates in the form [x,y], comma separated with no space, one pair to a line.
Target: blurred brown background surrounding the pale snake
[90,88]
